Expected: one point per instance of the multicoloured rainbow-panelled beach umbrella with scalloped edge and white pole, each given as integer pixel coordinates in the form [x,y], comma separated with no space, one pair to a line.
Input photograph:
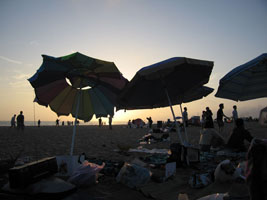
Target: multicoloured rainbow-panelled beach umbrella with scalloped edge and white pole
[78,85]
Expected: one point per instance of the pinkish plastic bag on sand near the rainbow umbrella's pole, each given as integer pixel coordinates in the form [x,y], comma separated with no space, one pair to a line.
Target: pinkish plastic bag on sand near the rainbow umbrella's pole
[86,174]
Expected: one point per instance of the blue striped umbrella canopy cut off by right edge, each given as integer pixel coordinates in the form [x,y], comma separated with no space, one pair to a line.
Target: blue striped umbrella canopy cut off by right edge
[245,82]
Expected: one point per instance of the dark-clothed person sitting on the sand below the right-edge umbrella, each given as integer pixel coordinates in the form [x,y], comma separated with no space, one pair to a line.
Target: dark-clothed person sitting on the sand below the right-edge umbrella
[239,135]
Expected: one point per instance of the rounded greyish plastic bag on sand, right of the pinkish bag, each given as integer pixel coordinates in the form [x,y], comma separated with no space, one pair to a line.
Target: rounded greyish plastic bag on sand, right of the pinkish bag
[133,175]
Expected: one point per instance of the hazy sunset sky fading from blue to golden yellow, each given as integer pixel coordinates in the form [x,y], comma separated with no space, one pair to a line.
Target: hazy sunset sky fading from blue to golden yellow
[132,34]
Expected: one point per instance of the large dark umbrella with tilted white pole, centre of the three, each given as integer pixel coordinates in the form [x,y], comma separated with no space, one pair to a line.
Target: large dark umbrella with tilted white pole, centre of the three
[165,84]
